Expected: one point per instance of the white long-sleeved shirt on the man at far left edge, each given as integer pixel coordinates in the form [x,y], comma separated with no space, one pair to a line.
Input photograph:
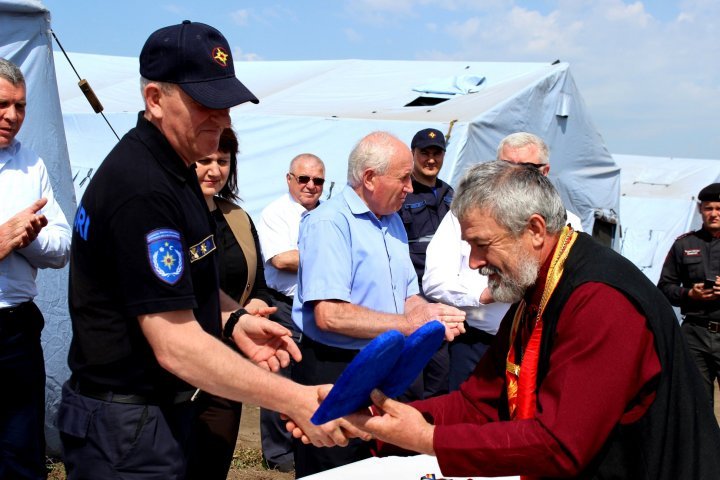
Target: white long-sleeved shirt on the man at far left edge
[24,179]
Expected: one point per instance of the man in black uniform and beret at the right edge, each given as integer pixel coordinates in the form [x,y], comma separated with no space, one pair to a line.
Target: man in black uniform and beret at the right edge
[690,279]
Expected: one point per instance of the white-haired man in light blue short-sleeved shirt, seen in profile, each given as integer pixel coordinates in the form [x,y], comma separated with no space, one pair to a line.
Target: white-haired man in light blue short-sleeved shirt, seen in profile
[356,280]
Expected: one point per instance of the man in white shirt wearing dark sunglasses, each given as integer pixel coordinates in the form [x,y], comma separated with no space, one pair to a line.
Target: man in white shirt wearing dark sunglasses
[278,232]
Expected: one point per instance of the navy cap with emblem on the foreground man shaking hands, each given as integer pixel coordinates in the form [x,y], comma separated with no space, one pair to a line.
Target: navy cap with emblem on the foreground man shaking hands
[197,58]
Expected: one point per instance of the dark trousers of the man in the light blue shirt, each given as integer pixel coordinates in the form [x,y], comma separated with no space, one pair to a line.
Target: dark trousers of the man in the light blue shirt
[322,364]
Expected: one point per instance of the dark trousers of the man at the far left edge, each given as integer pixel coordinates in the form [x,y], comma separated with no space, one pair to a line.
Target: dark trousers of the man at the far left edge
[22,401]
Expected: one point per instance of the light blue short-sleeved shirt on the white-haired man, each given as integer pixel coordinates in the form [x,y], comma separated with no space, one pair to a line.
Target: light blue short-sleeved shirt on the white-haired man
[348,254]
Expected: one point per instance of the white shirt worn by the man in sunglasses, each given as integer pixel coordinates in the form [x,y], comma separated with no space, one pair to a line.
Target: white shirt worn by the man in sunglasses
[278,232]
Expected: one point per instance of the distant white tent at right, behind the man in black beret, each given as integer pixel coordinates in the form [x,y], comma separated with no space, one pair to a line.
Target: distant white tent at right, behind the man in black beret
[658,203]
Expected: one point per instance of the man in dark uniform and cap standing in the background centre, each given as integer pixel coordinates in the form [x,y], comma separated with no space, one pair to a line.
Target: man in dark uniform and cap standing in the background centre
[421,214]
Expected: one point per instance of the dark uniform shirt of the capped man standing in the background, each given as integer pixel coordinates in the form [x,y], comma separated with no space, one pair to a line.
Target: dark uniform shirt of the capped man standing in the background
[421,214]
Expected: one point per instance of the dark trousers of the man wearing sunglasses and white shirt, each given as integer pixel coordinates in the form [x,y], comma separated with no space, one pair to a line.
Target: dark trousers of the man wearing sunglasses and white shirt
[277,442]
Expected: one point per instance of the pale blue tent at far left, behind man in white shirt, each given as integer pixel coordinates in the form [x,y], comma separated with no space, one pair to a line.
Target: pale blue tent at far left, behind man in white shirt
[25,40]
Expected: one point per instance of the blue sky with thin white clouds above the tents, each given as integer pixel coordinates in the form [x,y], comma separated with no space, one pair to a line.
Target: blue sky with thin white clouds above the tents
[649,72]
